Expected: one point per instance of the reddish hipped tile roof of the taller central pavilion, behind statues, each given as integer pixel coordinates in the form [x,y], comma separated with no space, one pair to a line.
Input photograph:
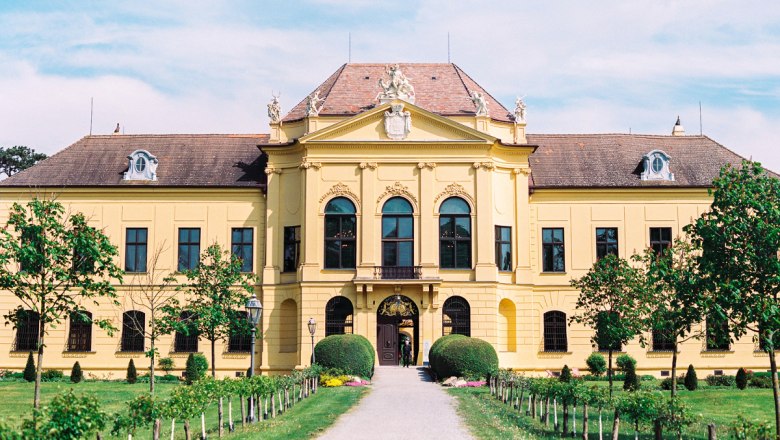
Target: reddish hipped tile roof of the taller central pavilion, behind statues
[439,88]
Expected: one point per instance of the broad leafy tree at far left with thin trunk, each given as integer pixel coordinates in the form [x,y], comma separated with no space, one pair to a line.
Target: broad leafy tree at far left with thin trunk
[65,264]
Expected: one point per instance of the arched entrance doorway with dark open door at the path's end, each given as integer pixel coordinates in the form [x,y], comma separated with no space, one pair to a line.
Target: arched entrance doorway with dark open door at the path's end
[397,315]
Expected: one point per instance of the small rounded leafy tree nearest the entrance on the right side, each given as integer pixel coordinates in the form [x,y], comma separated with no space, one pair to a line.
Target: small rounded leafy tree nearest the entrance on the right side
[612,302]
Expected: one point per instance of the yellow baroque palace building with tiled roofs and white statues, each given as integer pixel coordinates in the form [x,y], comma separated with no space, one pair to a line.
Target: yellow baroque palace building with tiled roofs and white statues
[396,202]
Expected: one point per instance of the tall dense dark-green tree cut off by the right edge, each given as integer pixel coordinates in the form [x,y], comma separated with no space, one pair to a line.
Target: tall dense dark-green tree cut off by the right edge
[740,237]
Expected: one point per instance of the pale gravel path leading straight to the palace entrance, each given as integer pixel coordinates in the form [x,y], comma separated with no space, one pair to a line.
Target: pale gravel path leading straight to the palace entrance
[403,403]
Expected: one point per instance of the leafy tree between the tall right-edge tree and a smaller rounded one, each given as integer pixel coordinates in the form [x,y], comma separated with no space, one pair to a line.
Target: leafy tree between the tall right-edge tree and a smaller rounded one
[677,290]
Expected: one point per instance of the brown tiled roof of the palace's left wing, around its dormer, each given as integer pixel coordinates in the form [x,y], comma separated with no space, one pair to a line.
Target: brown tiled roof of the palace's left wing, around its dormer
[185,160]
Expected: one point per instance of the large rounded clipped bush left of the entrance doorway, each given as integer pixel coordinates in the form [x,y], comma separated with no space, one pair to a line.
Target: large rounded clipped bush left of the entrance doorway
[352,354]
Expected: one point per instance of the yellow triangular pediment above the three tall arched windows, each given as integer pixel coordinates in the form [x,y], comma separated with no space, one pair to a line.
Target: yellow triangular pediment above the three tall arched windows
[424,126]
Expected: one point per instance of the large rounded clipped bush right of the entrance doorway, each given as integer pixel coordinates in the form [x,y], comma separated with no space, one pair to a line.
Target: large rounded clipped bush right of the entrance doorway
[469,357]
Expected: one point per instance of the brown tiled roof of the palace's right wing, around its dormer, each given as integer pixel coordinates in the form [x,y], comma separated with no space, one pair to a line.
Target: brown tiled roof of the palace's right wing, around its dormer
[615,160]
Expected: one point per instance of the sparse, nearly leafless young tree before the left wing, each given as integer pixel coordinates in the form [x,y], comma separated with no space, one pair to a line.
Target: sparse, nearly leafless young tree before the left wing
[151,293]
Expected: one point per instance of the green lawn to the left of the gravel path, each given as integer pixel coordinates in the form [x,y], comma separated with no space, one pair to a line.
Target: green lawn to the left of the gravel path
[306,419]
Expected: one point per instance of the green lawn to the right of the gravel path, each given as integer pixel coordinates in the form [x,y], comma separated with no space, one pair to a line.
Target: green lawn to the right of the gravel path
[487,418]
